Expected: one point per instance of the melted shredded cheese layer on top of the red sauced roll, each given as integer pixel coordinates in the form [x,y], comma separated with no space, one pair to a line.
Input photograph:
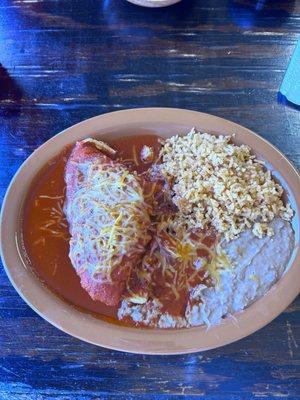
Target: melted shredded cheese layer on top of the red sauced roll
[108,217]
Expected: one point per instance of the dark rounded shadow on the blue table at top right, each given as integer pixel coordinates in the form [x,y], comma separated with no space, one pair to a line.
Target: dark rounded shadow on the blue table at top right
[260,13]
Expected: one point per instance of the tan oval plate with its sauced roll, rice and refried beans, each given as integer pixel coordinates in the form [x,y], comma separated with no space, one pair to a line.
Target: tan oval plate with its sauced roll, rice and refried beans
[156,230]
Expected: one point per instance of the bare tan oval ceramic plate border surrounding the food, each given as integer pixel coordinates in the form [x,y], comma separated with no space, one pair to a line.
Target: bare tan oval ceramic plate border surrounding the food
[165,122]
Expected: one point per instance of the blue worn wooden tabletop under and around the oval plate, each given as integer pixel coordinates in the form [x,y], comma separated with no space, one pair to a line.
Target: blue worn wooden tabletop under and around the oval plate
[66,60]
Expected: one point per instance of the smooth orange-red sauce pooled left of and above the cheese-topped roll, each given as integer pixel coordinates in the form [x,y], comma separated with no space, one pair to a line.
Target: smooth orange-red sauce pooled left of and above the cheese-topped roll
[46,243]
